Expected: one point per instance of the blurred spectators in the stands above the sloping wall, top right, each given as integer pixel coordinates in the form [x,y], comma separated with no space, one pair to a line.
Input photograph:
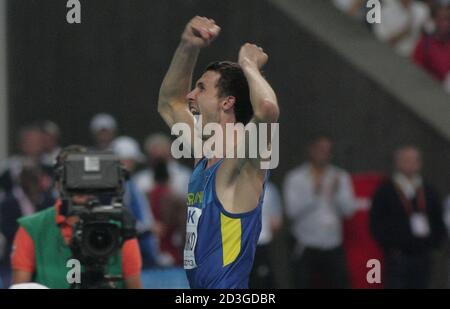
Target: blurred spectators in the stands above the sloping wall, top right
[417,29]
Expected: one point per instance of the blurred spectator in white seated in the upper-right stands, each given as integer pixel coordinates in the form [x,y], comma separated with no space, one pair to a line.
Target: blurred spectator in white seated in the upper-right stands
[402,23]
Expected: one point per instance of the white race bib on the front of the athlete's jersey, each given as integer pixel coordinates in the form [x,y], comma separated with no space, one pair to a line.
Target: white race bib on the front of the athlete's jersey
[193,216]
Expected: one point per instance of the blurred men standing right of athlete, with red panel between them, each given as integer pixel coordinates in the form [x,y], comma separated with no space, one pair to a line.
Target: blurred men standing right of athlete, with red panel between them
[339,222]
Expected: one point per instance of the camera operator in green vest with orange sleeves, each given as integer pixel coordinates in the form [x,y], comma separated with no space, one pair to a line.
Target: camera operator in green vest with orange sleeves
[42,245]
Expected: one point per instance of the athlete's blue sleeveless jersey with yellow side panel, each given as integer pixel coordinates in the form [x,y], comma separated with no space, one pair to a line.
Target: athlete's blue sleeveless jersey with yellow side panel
[220,246]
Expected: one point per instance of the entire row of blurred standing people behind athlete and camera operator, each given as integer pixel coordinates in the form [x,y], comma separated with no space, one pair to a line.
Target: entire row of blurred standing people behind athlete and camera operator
[336,221]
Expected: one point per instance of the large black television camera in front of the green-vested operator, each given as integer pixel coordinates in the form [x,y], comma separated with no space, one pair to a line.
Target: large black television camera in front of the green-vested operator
[104,223]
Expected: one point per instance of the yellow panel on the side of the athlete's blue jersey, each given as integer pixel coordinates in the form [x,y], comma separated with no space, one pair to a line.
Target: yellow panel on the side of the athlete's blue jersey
[231,238]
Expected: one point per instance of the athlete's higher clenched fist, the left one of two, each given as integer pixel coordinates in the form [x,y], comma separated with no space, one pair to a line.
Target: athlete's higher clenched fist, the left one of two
[200,31]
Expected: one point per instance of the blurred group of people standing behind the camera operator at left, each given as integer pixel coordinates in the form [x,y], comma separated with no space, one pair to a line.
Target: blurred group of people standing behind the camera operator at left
[154,194]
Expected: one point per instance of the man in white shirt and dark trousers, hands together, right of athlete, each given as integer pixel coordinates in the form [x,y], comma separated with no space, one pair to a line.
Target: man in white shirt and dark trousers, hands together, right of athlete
[318,196]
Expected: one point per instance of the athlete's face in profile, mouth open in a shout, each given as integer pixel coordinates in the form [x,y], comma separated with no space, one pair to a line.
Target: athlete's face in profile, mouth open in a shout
[204,99]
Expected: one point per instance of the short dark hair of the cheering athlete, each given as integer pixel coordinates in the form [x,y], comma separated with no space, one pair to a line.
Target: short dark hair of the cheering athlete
[232,82]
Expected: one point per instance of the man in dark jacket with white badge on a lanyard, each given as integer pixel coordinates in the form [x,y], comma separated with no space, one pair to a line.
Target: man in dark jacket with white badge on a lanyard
[406,220]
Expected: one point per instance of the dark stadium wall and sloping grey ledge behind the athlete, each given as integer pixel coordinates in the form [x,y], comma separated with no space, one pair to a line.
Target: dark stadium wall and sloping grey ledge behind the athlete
[115,60]
